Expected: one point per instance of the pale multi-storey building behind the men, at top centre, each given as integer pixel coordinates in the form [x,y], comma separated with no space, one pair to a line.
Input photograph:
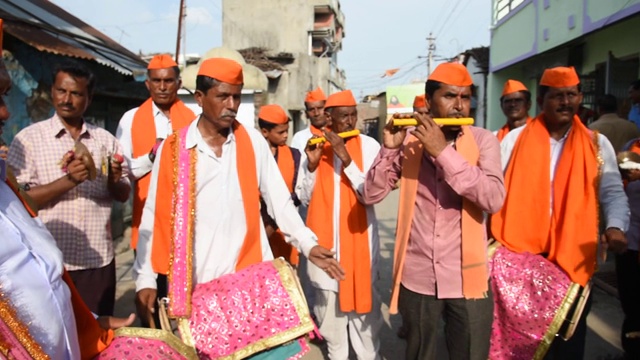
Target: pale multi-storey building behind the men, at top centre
[296,44]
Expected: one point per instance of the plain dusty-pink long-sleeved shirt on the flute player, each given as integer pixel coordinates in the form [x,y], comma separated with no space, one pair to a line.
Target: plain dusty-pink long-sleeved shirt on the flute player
[434,258]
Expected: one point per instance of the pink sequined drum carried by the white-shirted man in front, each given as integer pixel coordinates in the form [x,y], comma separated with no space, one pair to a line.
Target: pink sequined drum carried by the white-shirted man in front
[258,311]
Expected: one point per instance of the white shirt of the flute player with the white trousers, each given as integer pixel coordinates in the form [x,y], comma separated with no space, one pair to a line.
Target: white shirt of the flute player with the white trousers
[304,189]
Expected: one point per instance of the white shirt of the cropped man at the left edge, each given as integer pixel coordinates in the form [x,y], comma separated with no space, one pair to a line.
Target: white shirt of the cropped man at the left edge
[31,279]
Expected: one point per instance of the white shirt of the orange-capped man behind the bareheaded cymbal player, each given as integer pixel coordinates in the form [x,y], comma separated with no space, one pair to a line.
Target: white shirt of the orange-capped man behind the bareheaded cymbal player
[141,165]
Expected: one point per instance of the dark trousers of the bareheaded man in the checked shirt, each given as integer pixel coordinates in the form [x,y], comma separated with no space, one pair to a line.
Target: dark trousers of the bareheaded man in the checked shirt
[97,287]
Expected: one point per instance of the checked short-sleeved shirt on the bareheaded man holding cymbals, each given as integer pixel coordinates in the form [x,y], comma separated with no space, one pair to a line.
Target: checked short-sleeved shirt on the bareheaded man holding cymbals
[80,219]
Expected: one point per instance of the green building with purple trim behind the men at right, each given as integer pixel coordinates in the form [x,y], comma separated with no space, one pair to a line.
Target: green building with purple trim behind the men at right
[598,38]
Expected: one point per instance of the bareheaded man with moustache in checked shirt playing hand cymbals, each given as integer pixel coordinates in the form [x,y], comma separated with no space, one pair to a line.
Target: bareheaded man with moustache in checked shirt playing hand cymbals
[75,209]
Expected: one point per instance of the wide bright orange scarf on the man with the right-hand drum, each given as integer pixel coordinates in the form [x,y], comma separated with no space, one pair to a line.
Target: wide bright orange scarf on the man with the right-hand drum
[570,234]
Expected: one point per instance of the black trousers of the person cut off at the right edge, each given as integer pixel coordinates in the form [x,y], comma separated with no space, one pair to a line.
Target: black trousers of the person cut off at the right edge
[628,274]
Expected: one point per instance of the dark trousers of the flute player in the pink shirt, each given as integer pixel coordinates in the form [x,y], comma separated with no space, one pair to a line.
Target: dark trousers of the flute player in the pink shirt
[467,325]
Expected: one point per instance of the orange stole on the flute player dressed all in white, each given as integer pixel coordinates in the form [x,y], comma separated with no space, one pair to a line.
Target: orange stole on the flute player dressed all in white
[355,291]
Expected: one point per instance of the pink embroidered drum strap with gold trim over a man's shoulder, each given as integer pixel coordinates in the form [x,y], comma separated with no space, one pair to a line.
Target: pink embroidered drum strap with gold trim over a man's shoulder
[177,291]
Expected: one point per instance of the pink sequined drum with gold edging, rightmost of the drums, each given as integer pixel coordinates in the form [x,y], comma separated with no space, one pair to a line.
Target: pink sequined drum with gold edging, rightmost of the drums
[534,300]
